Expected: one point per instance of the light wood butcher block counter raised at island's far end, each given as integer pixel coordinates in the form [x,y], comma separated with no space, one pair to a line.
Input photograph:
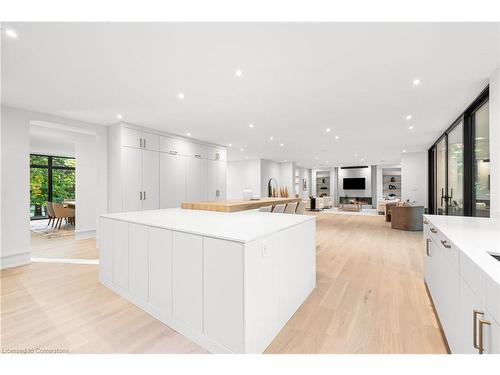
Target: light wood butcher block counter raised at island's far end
[235,205]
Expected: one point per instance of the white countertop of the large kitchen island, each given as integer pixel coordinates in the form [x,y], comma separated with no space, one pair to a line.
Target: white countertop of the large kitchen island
[243,226]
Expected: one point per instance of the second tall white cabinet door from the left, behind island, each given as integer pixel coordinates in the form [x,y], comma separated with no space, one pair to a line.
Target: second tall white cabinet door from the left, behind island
[150,180]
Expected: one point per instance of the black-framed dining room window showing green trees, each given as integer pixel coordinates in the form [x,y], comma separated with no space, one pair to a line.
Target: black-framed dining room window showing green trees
[52,179]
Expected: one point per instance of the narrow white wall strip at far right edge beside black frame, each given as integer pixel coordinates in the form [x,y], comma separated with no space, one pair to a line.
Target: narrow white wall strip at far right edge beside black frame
[495,140]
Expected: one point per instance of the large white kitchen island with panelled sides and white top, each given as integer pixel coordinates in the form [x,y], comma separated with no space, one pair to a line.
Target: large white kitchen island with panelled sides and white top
[227,281]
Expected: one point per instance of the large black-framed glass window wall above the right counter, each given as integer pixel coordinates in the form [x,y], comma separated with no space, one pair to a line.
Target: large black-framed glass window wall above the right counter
[459,164]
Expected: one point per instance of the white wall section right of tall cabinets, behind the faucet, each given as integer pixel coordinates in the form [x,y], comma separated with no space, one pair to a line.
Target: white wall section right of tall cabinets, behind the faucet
[241,175]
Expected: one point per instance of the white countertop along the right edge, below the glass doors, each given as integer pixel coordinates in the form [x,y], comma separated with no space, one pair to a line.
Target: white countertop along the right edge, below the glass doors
[475,236]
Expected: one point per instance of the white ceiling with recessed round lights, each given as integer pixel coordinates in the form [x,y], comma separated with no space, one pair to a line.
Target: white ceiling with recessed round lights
[298,79]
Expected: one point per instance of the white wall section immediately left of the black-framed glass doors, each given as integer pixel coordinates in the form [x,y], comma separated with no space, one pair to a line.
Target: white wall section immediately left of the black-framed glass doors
[413,177]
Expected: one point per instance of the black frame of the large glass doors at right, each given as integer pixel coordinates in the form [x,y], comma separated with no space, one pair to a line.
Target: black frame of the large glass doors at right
[469,130]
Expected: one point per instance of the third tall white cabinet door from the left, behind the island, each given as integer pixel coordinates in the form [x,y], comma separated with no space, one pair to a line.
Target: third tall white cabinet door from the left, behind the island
[172,180]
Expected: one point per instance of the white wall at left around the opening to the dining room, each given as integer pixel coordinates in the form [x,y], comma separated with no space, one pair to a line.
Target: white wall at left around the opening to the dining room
[91,183]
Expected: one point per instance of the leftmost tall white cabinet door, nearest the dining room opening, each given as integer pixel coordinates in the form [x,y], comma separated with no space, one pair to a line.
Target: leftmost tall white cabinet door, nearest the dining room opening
[131,179]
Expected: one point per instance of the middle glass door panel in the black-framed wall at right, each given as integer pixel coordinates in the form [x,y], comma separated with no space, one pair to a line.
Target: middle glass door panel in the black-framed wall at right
[454,191]
